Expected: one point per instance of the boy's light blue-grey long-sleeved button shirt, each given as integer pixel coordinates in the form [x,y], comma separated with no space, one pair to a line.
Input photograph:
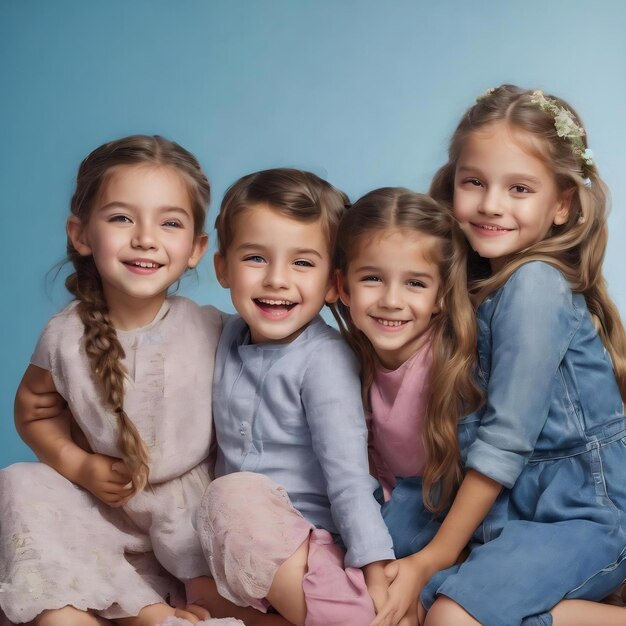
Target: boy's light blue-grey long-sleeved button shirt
[293,412]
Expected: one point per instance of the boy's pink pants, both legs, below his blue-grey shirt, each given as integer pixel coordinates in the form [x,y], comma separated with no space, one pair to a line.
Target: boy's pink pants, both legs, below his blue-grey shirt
[248,528]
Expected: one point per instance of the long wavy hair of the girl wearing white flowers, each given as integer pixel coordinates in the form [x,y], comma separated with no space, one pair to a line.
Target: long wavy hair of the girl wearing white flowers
[577,247]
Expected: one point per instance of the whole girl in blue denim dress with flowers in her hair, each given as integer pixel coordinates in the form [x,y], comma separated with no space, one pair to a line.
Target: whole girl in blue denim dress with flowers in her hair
[543,499]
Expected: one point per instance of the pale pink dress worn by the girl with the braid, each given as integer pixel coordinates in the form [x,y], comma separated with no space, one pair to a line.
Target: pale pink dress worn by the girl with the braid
[61,546]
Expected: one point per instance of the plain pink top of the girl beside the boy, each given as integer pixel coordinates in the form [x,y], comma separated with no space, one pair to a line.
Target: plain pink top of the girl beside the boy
[398,399]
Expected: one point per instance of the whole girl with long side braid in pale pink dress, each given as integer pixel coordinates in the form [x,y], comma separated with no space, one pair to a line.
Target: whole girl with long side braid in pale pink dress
[108,532]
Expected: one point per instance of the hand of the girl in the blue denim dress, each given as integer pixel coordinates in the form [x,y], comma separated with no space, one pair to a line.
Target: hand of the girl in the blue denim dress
[407,576]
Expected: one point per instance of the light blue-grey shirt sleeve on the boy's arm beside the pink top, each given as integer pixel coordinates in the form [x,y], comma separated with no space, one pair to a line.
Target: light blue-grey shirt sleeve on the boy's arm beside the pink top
[331,396]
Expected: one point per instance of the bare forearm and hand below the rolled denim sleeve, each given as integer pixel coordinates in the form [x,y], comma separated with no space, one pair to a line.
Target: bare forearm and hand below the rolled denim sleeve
[473,501]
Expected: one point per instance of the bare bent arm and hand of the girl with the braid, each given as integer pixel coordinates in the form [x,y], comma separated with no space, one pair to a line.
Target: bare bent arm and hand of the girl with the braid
[44,423]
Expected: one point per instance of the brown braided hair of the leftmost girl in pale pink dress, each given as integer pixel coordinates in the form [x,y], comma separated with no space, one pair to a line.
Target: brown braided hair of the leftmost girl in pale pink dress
[101,343]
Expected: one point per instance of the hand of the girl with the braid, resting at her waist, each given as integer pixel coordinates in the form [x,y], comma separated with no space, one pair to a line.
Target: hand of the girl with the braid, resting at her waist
[107,478]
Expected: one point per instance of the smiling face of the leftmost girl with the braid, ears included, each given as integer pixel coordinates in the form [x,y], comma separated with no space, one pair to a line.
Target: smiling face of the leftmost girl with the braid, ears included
[141,235]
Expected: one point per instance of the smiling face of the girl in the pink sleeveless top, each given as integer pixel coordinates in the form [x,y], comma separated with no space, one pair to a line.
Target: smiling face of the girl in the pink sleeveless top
[392,287]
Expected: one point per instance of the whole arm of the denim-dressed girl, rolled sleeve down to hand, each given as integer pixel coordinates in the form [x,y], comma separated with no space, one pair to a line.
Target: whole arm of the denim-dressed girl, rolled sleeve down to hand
[528,343]
